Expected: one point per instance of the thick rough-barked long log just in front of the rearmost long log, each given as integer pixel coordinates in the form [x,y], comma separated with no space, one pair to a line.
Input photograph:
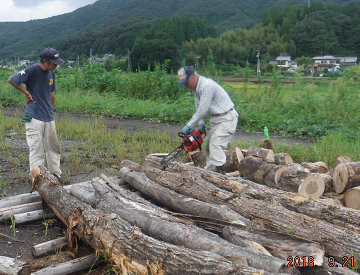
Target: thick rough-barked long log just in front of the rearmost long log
[258,206]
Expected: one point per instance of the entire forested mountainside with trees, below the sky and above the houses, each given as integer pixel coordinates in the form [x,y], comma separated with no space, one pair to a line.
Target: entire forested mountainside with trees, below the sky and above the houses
[116,26]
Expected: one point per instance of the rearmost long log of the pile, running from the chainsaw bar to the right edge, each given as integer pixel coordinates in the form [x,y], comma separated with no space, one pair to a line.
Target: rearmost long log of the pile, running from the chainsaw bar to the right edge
[316,208]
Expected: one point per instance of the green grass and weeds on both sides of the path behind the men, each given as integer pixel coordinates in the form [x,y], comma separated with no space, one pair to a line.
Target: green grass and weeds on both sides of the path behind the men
[327,112]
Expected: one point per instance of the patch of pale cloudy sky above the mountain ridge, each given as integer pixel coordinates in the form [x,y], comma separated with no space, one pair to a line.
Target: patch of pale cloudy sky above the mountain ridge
[25,10]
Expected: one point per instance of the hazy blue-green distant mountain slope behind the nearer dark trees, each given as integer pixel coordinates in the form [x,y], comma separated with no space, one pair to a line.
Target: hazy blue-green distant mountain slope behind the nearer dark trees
[25,39]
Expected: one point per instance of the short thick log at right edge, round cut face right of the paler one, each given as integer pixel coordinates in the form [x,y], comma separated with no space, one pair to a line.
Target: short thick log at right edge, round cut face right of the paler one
[346,176]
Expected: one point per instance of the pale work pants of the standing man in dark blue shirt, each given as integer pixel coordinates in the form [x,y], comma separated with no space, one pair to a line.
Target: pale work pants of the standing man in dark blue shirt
[42,140]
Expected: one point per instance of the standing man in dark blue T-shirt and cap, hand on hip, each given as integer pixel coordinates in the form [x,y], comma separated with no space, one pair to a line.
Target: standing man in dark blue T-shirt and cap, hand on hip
[41,134]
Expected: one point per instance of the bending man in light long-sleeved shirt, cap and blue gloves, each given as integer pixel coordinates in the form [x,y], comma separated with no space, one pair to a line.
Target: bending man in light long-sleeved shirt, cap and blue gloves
[210,100]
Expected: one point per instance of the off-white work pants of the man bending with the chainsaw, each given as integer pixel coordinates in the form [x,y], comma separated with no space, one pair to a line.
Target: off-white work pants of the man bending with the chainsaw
[222,128]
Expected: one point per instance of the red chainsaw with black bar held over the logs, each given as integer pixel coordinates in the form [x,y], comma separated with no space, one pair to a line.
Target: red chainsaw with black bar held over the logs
[191,142]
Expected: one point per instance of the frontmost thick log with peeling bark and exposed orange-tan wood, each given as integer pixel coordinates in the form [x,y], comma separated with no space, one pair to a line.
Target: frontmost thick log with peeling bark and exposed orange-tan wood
[128,248]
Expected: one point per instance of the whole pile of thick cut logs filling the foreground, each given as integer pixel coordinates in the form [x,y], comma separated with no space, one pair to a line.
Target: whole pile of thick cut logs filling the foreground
[268,215]
